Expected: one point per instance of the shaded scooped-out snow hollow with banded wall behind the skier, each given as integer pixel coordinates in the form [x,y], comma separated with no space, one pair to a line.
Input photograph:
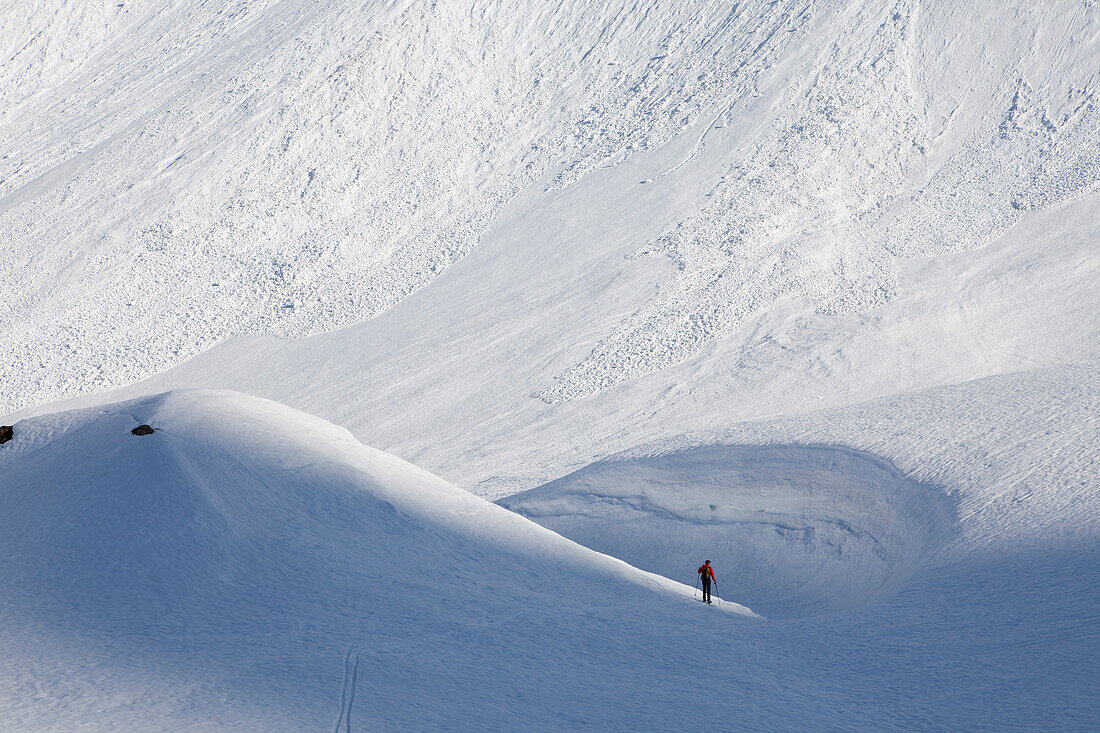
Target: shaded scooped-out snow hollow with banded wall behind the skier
[794,531]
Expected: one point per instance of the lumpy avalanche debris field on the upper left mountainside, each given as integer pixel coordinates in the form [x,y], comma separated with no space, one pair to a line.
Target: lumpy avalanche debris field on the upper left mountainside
[291,168]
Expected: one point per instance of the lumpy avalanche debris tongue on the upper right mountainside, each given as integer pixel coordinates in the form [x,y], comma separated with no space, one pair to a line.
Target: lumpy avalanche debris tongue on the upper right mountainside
[818,206]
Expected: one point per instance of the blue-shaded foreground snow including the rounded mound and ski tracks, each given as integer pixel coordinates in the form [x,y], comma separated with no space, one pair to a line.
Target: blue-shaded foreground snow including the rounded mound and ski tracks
[248,566]
